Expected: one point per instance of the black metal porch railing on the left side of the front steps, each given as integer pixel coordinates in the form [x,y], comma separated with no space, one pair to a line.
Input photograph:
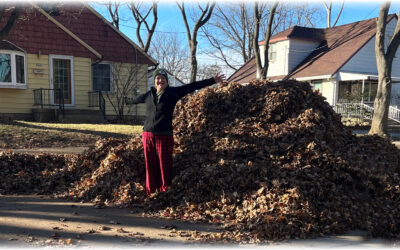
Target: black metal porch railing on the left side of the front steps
[49,98]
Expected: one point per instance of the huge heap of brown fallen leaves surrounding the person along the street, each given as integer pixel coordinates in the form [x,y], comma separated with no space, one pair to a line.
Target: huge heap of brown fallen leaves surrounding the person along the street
[265,160]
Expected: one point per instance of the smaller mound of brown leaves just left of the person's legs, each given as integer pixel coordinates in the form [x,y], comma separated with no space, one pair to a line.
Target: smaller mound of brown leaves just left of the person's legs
[112,172]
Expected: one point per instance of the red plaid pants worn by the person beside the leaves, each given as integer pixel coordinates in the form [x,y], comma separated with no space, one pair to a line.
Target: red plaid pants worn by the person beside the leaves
[158,155]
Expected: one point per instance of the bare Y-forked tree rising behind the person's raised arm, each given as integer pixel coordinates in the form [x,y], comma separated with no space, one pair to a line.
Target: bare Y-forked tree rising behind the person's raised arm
[205,14]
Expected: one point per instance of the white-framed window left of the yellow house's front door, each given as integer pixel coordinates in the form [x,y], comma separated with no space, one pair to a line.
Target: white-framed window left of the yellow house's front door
[12,68]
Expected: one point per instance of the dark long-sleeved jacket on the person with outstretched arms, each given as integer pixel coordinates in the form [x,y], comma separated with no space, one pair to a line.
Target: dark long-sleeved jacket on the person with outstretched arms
[159,115]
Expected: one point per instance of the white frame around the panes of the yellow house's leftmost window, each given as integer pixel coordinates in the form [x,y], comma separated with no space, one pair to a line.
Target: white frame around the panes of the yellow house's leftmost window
[13,84]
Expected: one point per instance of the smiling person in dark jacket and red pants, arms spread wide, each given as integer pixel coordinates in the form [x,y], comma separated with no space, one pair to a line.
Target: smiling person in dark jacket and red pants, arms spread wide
[157,135]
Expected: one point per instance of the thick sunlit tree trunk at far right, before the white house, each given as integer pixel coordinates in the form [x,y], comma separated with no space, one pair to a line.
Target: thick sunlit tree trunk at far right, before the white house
[384,62]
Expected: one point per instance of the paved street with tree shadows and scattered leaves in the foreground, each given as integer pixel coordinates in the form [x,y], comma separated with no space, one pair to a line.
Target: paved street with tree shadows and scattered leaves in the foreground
[40,221]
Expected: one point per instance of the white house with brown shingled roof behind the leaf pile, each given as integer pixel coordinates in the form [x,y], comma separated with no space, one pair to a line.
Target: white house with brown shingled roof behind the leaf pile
[340,62]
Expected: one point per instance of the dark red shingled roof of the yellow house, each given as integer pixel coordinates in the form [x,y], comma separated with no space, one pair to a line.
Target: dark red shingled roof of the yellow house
[73,29]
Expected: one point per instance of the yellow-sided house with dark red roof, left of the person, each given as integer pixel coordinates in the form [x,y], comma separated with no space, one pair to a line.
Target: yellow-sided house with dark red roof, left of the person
[67,62]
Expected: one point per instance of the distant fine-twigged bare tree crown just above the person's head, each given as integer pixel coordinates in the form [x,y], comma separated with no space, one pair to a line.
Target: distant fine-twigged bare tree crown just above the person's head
[172,54]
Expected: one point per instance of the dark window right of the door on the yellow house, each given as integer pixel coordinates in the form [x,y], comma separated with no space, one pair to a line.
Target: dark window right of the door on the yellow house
[102,77]
